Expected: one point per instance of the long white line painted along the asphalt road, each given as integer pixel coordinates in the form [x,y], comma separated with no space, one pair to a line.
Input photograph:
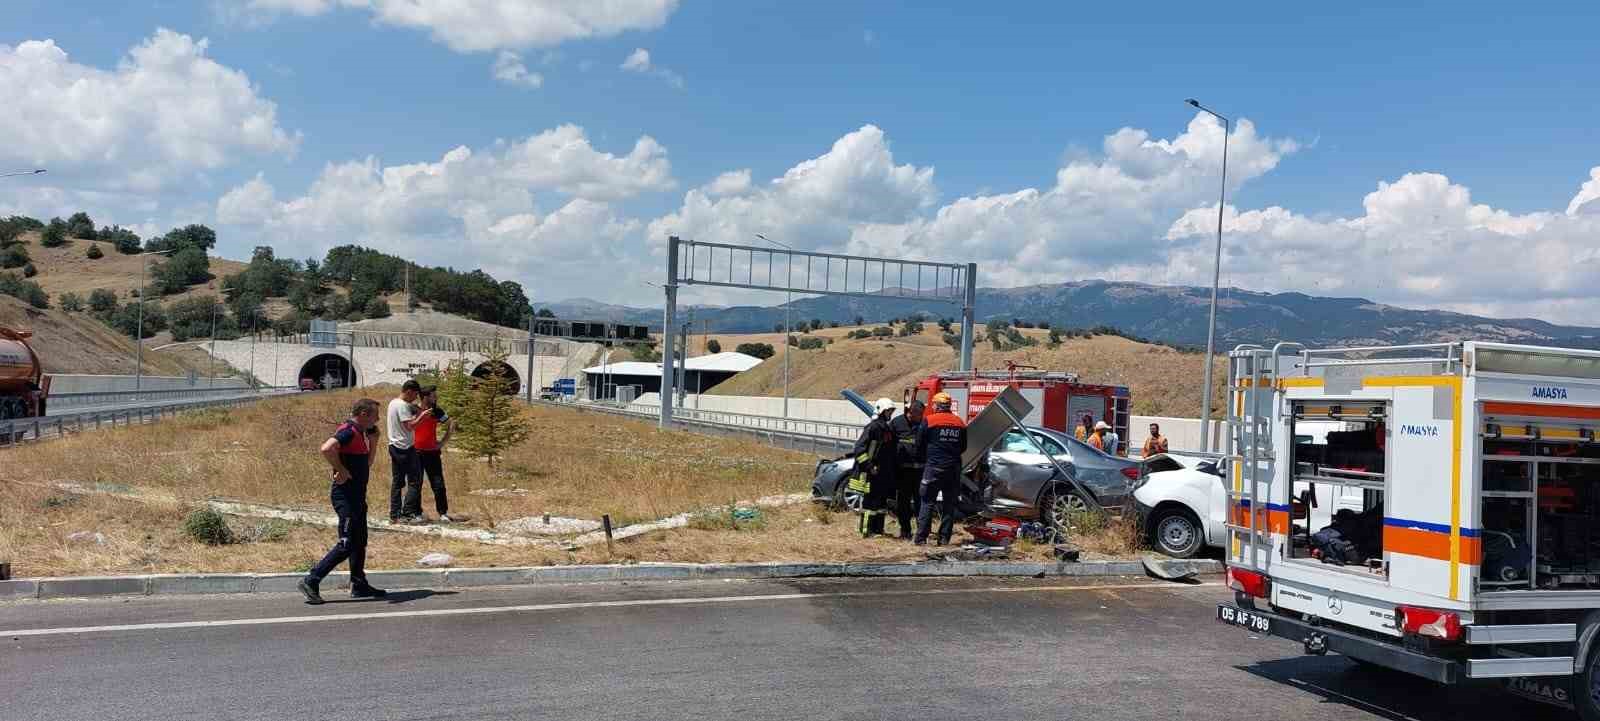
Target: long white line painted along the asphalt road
[562,607]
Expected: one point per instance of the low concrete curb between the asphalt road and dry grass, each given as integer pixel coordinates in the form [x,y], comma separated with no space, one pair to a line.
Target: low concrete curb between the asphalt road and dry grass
[471,578]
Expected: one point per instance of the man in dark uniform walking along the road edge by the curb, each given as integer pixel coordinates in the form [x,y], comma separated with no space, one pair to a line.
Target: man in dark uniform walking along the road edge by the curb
[350,453]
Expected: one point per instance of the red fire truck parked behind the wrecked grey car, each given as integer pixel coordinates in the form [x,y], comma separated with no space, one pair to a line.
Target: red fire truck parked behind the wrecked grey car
[1058,399]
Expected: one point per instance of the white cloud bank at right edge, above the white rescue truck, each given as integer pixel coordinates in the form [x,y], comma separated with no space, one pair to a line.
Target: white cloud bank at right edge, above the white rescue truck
[1420,241]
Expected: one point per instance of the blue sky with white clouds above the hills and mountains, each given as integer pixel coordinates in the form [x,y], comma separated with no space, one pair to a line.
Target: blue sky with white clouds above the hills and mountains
[902,111]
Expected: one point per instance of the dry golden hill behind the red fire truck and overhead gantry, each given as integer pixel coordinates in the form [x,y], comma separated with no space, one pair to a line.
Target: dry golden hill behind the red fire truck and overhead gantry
[1161,380]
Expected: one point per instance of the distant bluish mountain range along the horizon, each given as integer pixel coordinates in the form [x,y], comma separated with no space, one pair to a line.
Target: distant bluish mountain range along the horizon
[1169,314]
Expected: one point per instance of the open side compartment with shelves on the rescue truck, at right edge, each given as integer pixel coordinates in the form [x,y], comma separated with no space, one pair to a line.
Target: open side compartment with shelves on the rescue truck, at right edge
[1542,503]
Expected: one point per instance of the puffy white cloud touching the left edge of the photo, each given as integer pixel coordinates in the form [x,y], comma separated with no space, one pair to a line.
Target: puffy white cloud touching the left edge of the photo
[164,114]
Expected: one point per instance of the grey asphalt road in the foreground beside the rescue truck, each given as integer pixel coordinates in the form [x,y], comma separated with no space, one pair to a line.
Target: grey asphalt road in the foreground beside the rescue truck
[814,650]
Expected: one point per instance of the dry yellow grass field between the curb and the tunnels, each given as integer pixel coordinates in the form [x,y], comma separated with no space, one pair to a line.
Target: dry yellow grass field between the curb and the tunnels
[577,464]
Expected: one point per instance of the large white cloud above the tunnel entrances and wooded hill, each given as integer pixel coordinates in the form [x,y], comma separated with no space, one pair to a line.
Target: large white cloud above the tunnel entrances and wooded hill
[470,209]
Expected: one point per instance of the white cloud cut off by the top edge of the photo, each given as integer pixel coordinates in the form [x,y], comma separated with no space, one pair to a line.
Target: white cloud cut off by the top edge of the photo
[474,26]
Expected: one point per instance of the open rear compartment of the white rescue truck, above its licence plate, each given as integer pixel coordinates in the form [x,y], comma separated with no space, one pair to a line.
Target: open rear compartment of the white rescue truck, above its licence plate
[1337,509]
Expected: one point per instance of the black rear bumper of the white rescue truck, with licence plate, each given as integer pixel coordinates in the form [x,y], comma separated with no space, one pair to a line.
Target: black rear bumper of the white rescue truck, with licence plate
[1321,640]
